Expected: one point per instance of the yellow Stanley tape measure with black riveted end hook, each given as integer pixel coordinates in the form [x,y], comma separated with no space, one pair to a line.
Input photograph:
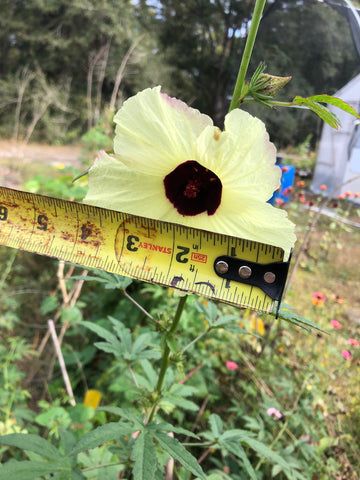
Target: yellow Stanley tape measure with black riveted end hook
[233,270]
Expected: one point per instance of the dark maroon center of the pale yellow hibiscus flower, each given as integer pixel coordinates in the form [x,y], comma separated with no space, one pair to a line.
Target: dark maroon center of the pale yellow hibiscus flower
[193,189]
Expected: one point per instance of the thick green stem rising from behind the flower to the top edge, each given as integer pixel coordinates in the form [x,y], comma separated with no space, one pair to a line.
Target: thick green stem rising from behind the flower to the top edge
[240,81]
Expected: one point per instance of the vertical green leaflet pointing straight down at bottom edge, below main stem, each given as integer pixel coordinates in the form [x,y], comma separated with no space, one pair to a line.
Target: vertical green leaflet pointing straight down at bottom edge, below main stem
[144,455]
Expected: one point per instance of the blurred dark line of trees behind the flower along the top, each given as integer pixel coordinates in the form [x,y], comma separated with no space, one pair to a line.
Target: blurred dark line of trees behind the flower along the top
[66,65]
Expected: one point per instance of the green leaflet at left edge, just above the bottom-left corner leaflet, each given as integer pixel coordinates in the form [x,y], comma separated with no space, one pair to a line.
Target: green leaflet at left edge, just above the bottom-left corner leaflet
[32,443]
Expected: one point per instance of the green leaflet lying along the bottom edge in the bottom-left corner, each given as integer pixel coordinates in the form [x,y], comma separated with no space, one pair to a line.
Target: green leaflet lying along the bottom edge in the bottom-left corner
[29,469]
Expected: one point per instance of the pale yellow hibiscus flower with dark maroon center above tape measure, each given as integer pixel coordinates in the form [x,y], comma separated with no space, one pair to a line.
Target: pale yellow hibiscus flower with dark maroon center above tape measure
[171,163]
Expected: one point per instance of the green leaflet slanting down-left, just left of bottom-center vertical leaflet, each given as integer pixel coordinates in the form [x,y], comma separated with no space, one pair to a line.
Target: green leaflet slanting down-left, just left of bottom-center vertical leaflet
[105,433]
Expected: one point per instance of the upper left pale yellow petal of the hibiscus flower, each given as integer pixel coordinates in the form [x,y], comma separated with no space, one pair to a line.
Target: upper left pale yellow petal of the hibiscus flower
[155,133]
